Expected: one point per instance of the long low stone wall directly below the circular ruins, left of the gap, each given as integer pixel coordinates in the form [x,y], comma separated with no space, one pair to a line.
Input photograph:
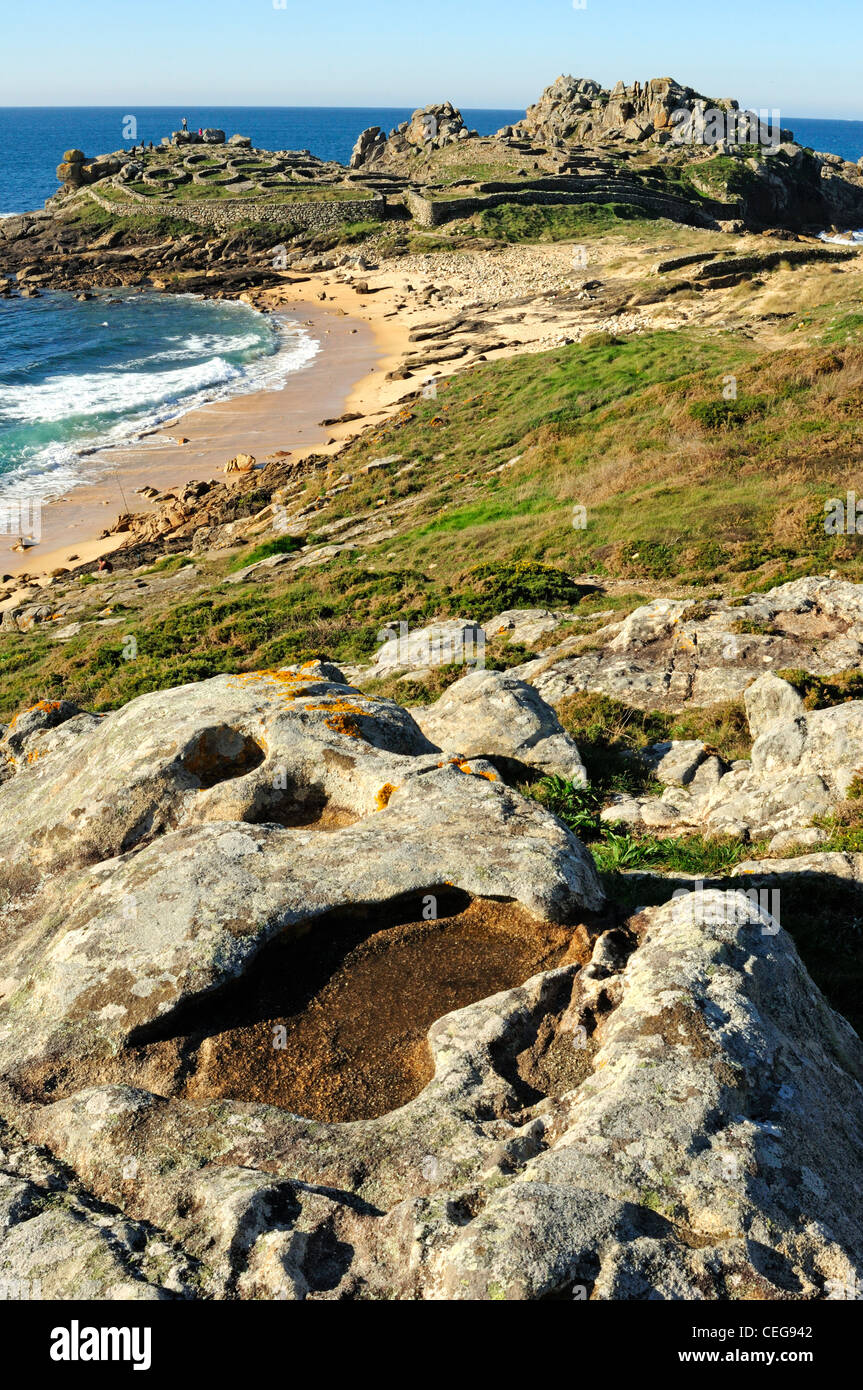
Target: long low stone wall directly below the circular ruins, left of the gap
[316,215]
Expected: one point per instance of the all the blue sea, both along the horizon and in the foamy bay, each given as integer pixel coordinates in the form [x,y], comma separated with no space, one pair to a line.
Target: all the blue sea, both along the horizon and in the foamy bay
[74,375]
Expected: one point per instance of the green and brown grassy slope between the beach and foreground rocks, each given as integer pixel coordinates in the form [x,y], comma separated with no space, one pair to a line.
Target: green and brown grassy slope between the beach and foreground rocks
[682,490]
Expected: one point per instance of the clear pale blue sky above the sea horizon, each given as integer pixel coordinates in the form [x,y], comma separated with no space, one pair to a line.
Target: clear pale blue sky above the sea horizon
[801,56]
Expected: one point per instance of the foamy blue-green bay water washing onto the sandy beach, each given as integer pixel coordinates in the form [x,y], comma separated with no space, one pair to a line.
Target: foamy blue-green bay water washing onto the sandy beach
[77,375]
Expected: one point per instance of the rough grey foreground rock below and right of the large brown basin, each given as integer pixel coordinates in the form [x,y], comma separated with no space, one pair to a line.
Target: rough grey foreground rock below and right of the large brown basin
[683,1118]
